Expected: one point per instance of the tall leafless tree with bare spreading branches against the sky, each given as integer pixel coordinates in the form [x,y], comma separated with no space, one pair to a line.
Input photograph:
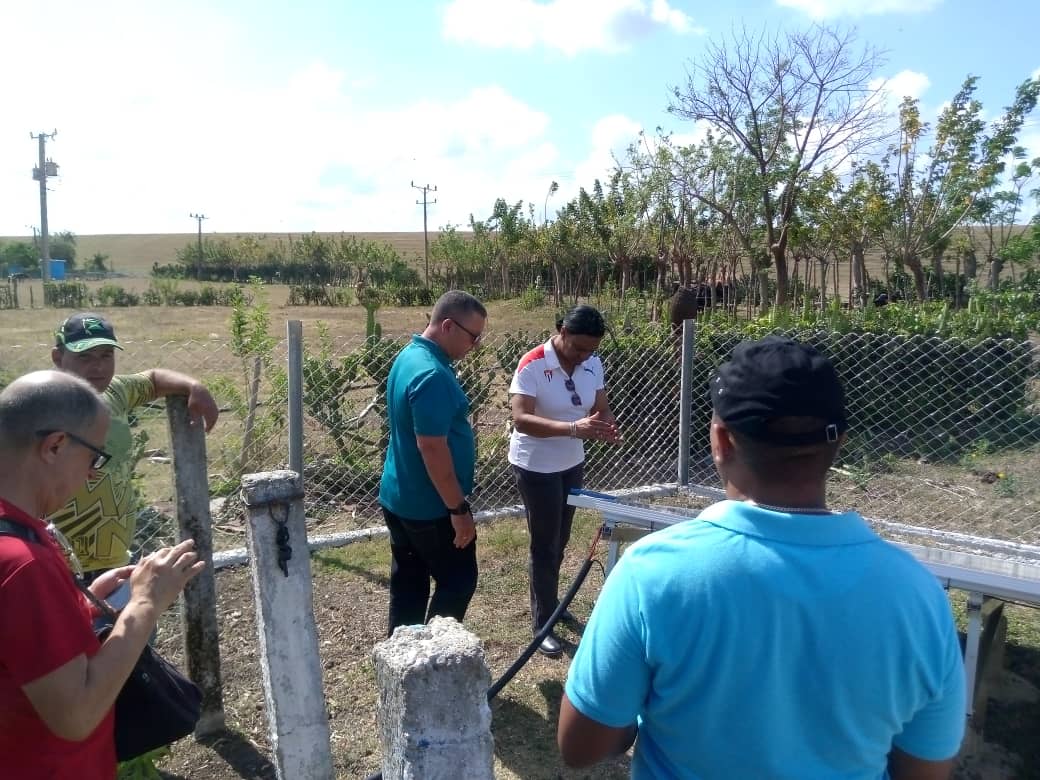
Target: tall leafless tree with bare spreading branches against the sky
[793,106]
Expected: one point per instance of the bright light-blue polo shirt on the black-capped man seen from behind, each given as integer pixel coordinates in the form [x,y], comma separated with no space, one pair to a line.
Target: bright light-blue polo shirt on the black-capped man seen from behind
[755,644]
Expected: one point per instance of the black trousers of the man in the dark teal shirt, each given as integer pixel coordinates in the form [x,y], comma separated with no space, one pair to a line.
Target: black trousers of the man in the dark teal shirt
[422,551]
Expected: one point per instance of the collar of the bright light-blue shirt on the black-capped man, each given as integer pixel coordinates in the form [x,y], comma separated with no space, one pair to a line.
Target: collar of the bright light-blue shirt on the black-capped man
[818,531]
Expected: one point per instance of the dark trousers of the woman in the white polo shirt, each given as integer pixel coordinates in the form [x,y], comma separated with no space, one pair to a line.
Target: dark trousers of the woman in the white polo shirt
[550,519]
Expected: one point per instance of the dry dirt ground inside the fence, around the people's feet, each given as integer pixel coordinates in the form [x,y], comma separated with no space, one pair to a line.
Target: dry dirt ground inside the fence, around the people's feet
[350,607]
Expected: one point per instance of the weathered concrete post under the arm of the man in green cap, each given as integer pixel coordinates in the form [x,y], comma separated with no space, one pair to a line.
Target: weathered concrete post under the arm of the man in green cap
[202,647]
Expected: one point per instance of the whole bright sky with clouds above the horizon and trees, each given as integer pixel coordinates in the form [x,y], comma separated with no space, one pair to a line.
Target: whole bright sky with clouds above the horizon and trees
[318,115]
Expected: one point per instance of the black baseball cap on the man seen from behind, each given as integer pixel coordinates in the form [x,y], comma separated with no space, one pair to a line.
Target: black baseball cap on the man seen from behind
[777,377]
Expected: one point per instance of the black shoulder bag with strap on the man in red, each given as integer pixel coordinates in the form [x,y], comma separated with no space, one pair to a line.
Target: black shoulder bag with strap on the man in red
[158,705]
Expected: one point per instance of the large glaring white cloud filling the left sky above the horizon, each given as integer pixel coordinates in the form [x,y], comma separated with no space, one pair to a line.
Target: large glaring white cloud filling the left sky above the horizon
[148,136]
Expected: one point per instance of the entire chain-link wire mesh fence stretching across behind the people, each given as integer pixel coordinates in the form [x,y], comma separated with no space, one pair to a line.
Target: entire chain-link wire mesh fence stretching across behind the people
[944,434]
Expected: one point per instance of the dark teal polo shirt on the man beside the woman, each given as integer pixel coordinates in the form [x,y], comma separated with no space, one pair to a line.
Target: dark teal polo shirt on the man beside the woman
[424,399]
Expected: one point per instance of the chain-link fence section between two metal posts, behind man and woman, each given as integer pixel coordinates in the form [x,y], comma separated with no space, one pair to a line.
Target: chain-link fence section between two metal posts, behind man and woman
[346,420]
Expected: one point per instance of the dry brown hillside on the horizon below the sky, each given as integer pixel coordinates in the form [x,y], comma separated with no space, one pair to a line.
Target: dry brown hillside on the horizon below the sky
[134,254]
